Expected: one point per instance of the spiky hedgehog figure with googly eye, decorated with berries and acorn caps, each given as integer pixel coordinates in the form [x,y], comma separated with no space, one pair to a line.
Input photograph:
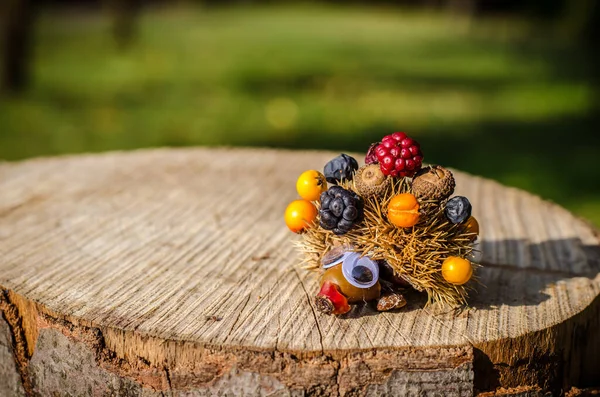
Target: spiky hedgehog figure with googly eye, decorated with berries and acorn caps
[377,230]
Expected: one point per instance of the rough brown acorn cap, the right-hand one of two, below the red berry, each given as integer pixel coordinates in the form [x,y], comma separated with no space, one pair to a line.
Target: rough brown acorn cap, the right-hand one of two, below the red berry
[433,183]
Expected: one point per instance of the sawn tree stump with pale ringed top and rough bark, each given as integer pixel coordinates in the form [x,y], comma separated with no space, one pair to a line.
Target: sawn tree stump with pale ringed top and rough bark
[171,272]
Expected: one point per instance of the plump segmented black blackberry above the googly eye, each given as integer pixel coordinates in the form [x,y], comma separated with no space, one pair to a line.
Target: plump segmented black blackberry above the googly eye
[341,210]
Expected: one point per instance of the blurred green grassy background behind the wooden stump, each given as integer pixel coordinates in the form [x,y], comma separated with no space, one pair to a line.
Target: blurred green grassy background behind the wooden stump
[507,93]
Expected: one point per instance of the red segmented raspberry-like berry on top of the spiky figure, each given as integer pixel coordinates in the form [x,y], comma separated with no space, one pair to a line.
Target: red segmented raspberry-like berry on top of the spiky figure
[398,155]
